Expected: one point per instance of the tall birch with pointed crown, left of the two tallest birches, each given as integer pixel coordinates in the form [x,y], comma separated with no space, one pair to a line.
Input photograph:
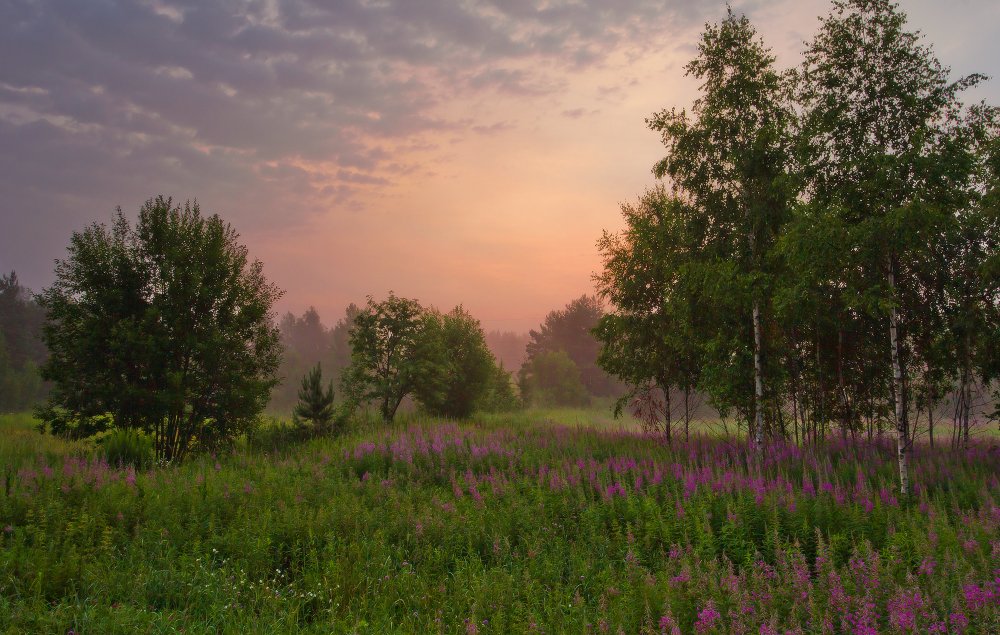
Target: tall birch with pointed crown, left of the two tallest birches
[729,162]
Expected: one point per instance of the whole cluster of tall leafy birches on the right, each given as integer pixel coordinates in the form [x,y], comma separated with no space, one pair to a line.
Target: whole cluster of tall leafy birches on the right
[814,218]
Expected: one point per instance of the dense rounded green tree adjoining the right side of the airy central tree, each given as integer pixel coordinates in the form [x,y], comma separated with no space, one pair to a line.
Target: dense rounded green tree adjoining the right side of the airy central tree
[468,369]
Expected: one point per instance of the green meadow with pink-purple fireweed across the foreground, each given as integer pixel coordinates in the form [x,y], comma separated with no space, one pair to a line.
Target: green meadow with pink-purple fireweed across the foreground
[515,523]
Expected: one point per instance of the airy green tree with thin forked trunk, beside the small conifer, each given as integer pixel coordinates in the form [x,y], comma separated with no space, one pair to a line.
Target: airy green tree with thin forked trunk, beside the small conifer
[394,353]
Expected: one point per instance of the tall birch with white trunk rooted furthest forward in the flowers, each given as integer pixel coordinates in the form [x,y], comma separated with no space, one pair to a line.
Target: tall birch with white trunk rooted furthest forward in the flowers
[877,106]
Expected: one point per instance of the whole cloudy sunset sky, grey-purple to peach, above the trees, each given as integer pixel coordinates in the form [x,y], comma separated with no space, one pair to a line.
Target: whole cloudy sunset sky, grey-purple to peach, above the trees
[454,151]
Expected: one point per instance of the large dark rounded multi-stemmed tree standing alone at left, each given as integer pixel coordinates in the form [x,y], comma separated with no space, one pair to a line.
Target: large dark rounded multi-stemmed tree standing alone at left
[165,326]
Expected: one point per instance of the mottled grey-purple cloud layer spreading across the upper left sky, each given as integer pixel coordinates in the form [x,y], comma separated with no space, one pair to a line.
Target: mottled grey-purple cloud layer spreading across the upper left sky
[270,111]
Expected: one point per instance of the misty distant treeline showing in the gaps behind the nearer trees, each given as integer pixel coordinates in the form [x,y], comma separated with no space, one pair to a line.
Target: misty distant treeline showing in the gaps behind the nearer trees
[555,365]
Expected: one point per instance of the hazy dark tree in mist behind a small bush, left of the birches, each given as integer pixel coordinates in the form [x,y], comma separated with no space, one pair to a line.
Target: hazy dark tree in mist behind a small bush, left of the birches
[571,330]
